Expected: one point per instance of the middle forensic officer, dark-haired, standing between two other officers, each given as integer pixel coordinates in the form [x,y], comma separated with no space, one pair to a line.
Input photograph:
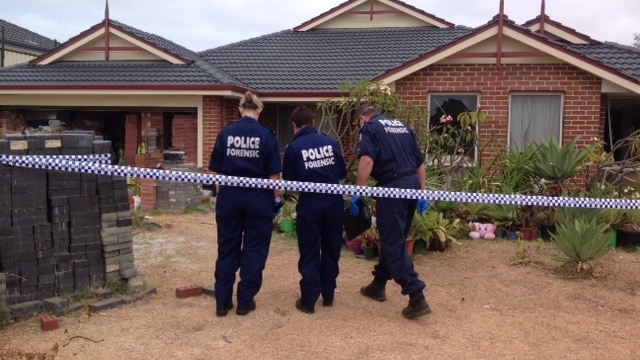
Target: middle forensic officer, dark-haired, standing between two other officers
[312,157]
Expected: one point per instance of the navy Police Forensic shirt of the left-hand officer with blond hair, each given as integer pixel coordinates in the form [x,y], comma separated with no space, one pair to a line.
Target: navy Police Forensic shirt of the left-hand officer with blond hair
[246,148]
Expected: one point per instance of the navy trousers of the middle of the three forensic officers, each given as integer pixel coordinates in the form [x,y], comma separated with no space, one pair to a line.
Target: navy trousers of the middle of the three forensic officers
[319,228]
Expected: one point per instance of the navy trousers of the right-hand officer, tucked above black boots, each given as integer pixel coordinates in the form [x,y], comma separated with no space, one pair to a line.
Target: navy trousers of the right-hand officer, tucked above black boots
[393,219]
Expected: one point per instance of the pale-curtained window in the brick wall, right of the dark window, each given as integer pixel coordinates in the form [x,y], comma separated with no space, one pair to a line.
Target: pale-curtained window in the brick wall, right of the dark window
[533,118]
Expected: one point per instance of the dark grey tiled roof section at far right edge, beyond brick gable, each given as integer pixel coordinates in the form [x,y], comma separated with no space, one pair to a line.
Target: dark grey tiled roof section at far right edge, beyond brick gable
[625,59]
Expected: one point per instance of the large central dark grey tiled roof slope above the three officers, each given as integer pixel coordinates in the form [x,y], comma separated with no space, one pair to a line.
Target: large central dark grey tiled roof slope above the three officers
[321,60]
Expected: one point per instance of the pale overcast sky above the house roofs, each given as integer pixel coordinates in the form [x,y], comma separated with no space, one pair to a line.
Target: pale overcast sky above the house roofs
[203,24]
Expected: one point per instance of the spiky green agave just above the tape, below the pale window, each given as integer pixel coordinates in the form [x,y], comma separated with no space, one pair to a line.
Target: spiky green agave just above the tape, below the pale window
[556,163]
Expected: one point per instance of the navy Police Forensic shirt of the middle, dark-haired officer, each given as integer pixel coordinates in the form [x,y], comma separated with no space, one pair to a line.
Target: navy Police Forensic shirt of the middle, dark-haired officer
[312,157]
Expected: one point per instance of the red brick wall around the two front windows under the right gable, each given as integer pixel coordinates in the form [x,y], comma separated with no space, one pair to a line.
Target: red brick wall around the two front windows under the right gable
[583,113]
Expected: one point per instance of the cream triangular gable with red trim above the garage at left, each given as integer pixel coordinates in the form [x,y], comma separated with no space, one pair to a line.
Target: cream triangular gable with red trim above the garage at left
[106,41]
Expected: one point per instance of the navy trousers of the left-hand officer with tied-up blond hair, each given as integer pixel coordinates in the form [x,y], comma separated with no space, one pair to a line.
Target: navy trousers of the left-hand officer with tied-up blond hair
[245,222]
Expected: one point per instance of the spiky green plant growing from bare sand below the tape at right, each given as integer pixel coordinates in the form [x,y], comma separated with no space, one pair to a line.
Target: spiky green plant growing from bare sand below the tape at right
[581,236]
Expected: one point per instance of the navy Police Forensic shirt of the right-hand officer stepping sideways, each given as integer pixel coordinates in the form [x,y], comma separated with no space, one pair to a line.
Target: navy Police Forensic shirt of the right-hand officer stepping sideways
[392,146]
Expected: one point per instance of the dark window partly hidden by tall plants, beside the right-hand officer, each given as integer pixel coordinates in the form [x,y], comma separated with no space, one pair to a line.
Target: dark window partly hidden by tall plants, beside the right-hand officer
[443,105]
